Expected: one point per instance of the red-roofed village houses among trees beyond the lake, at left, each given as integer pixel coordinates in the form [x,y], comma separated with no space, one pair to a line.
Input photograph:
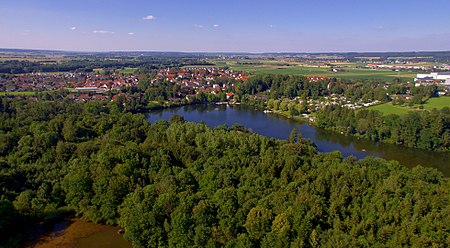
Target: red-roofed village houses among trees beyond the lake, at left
[107,86]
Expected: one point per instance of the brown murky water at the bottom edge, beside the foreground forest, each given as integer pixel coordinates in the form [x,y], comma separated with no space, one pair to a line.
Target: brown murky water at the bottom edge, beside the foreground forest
[78,233]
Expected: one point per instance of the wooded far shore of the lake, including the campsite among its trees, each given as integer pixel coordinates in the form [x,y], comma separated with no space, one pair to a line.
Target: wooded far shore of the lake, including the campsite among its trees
[292,96]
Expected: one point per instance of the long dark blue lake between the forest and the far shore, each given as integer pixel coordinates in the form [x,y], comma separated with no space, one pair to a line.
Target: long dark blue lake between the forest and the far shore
[279,127]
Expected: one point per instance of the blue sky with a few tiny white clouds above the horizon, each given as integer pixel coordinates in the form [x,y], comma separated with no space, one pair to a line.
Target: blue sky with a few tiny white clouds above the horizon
[226,26]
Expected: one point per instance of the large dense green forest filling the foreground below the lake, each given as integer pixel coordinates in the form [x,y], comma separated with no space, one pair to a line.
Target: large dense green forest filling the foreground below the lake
[180,184]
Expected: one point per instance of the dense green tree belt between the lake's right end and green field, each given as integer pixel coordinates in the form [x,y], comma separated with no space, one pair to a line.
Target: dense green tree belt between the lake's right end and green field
[420,129]
